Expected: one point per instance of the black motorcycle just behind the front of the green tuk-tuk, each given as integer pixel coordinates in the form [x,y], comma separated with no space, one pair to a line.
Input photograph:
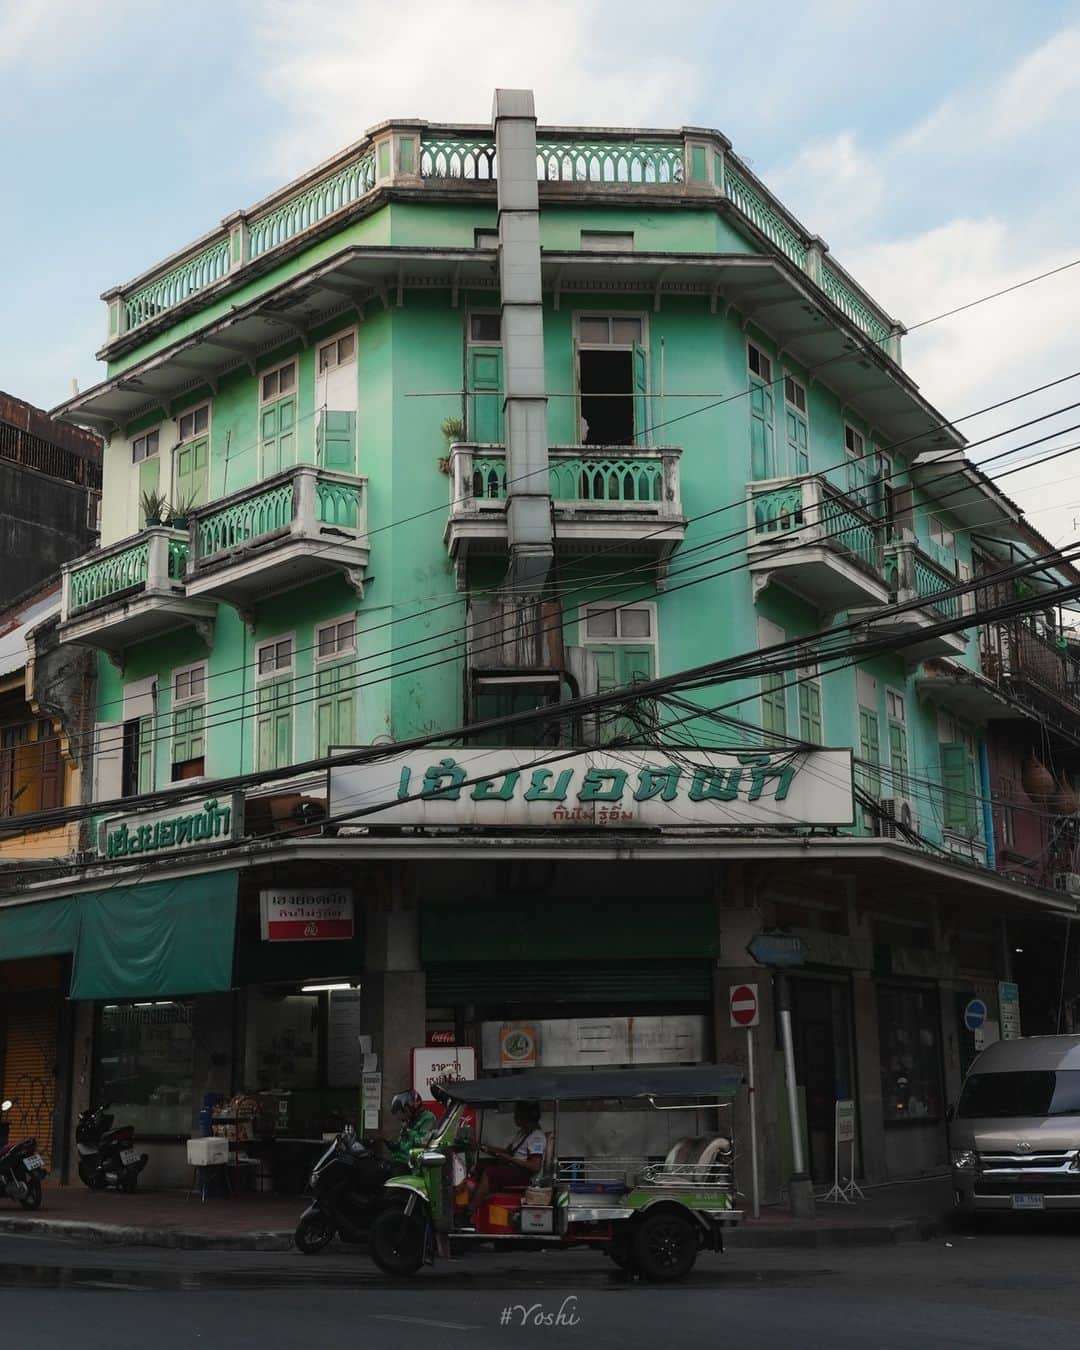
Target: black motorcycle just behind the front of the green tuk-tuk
[346,1186]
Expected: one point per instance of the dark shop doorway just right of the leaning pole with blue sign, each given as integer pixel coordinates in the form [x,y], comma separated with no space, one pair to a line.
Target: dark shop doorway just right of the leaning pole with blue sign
[824,1058]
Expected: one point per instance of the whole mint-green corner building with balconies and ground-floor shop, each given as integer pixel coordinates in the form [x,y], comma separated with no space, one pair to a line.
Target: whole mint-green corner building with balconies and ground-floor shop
[470,423]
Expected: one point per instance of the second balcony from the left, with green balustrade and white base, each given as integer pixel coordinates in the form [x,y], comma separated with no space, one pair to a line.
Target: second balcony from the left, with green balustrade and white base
[284,533]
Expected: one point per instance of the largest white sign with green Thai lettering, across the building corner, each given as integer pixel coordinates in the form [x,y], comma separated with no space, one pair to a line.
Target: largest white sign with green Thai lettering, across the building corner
[627,789]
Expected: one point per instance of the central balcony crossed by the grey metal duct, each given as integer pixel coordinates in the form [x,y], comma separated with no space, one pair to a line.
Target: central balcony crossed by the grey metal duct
[608,499]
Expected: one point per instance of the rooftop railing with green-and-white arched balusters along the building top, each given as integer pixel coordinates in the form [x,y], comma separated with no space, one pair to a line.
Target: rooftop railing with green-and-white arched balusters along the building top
[674,163]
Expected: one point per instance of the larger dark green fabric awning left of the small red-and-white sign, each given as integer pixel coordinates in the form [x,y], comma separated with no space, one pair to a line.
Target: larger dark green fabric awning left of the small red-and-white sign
[165,939]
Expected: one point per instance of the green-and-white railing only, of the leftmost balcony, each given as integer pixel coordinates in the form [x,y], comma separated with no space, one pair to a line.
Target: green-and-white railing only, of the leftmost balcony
[153,562]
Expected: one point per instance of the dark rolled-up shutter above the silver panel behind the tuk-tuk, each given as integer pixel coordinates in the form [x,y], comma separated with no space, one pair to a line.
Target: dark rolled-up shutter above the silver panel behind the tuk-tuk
[569,982]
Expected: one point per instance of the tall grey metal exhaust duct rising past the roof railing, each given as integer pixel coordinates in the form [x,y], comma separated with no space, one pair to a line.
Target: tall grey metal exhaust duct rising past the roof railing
[526,414]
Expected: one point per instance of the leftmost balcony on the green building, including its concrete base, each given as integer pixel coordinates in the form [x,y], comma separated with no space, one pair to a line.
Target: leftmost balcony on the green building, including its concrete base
[130,592]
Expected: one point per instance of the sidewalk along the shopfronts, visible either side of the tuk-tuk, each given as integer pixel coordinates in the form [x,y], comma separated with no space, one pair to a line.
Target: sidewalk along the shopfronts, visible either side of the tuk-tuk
[902,1213]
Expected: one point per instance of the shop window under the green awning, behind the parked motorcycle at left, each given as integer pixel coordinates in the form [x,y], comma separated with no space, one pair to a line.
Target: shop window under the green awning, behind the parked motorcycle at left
[145,1066]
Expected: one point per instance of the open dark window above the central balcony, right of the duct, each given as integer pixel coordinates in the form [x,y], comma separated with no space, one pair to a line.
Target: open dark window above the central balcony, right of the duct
[612,380]
